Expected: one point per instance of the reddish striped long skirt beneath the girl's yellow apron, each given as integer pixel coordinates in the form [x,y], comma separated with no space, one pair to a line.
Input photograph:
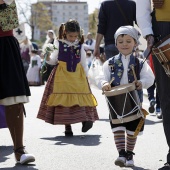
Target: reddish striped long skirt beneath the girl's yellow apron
[63,115]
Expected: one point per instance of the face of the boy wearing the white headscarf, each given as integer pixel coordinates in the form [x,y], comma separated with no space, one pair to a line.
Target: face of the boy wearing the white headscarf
[125,44]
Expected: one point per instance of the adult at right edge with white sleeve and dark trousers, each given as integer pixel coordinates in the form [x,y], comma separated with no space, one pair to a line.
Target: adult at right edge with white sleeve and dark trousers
[157,25]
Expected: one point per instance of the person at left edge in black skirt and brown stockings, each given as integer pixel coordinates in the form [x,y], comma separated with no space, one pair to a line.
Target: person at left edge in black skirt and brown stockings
[14,89]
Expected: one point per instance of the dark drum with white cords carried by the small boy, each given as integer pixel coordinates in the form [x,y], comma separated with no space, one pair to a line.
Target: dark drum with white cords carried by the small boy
[124,104]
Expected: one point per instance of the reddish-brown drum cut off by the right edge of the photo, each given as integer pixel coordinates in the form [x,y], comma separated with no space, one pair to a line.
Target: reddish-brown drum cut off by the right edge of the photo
[162,52]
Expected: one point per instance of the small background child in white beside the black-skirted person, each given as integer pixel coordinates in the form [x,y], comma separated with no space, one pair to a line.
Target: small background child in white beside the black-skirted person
[33,73]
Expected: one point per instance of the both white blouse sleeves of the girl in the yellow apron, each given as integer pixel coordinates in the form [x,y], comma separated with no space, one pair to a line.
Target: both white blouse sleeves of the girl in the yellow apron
[54,57]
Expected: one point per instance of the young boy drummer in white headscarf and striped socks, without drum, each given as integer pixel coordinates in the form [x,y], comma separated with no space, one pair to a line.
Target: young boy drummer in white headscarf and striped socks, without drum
[118,68]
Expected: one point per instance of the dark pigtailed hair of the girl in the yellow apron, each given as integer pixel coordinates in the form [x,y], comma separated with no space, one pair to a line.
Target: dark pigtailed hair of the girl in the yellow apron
[70,26]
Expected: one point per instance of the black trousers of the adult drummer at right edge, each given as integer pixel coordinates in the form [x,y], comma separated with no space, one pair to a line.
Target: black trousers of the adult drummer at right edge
[163,83]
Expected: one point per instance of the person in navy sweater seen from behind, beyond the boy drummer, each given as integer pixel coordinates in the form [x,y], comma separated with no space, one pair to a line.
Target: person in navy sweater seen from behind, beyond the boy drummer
[112,15]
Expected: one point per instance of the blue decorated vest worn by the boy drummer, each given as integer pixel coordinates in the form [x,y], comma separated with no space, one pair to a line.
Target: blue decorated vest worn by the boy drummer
[116,67]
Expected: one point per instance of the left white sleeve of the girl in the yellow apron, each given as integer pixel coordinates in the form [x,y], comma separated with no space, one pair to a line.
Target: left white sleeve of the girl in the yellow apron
[54,55]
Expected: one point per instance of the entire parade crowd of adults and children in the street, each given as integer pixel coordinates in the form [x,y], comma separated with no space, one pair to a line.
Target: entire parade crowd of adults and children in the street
[67,54]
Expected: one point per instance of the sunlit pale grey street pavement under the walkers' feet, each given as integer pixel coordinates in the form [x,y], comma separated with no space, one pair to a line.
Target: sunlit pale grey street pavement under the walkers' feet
[94,150]
